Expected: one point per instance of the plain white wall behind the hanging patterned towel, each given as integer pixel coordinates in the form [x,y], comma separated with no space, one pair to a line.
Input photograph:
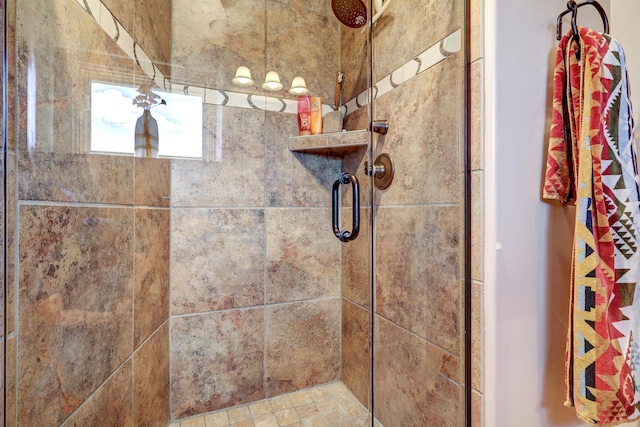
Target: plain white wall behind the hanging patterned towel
[527,279]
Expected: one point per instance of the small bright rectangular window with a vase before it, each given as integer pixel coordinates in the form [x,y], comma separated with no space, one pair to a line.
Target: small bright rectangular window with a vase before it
[114,116]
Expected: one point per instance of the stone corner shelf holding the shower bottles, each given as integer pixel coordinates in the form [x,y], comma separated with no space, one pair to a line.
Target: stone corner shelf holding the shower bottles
[335,144]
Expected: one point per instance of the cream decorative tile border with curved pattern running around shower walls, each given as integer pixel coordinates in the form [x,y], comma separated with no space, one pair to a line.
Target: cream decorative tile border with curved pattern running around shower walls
[427,59]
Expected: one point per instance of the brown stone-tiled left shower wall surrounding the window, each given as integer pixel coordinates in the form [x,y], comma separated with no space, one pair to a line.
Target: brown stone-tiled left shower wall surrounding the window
[88,251]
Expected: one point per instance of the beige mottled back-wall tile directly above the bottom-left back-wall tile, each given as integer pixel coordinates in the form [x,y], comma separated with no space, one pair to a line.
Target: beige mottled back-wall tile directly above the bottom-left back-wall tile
[203,280]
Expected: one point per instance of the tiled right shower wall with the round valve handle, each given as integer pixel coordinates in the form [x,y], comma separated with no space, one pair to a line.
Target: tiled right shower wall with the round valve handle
[418,232]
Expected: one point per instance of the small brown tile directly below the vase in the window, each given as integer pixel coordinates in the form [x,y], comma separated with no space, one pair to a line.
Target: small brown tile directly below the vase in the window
[152,181]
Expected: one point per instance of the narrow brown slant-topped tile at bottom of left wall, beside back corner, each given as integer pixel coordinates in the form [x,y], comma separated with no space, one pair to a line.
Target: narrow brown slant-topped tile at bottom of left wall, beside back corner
[151,380]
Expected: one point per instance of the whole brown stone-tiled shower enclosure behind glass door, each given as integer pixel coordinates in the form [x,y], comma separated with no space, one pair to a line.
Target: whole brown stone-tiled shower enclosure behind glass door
[204,275]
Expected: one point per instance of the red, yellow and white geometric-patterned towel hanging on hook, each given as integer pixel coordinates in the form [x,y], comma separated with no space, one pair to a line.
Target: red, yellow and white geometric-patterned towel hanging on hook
[592,163]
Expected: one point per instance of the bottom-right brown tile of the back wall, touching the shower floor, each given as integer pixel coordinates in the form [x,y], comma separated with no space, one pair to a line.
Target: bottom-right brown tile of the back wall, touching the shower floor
[303,345]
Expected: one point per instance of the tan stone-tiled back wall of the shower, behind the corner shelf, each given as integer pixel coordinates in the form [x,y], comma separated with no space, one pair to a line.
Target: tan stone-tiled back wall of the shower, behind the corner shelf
[255,269]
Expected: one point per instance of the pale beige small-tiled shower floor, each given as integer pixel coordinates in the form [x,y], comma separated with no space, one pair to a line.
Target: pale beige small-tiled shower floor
[327,405]
